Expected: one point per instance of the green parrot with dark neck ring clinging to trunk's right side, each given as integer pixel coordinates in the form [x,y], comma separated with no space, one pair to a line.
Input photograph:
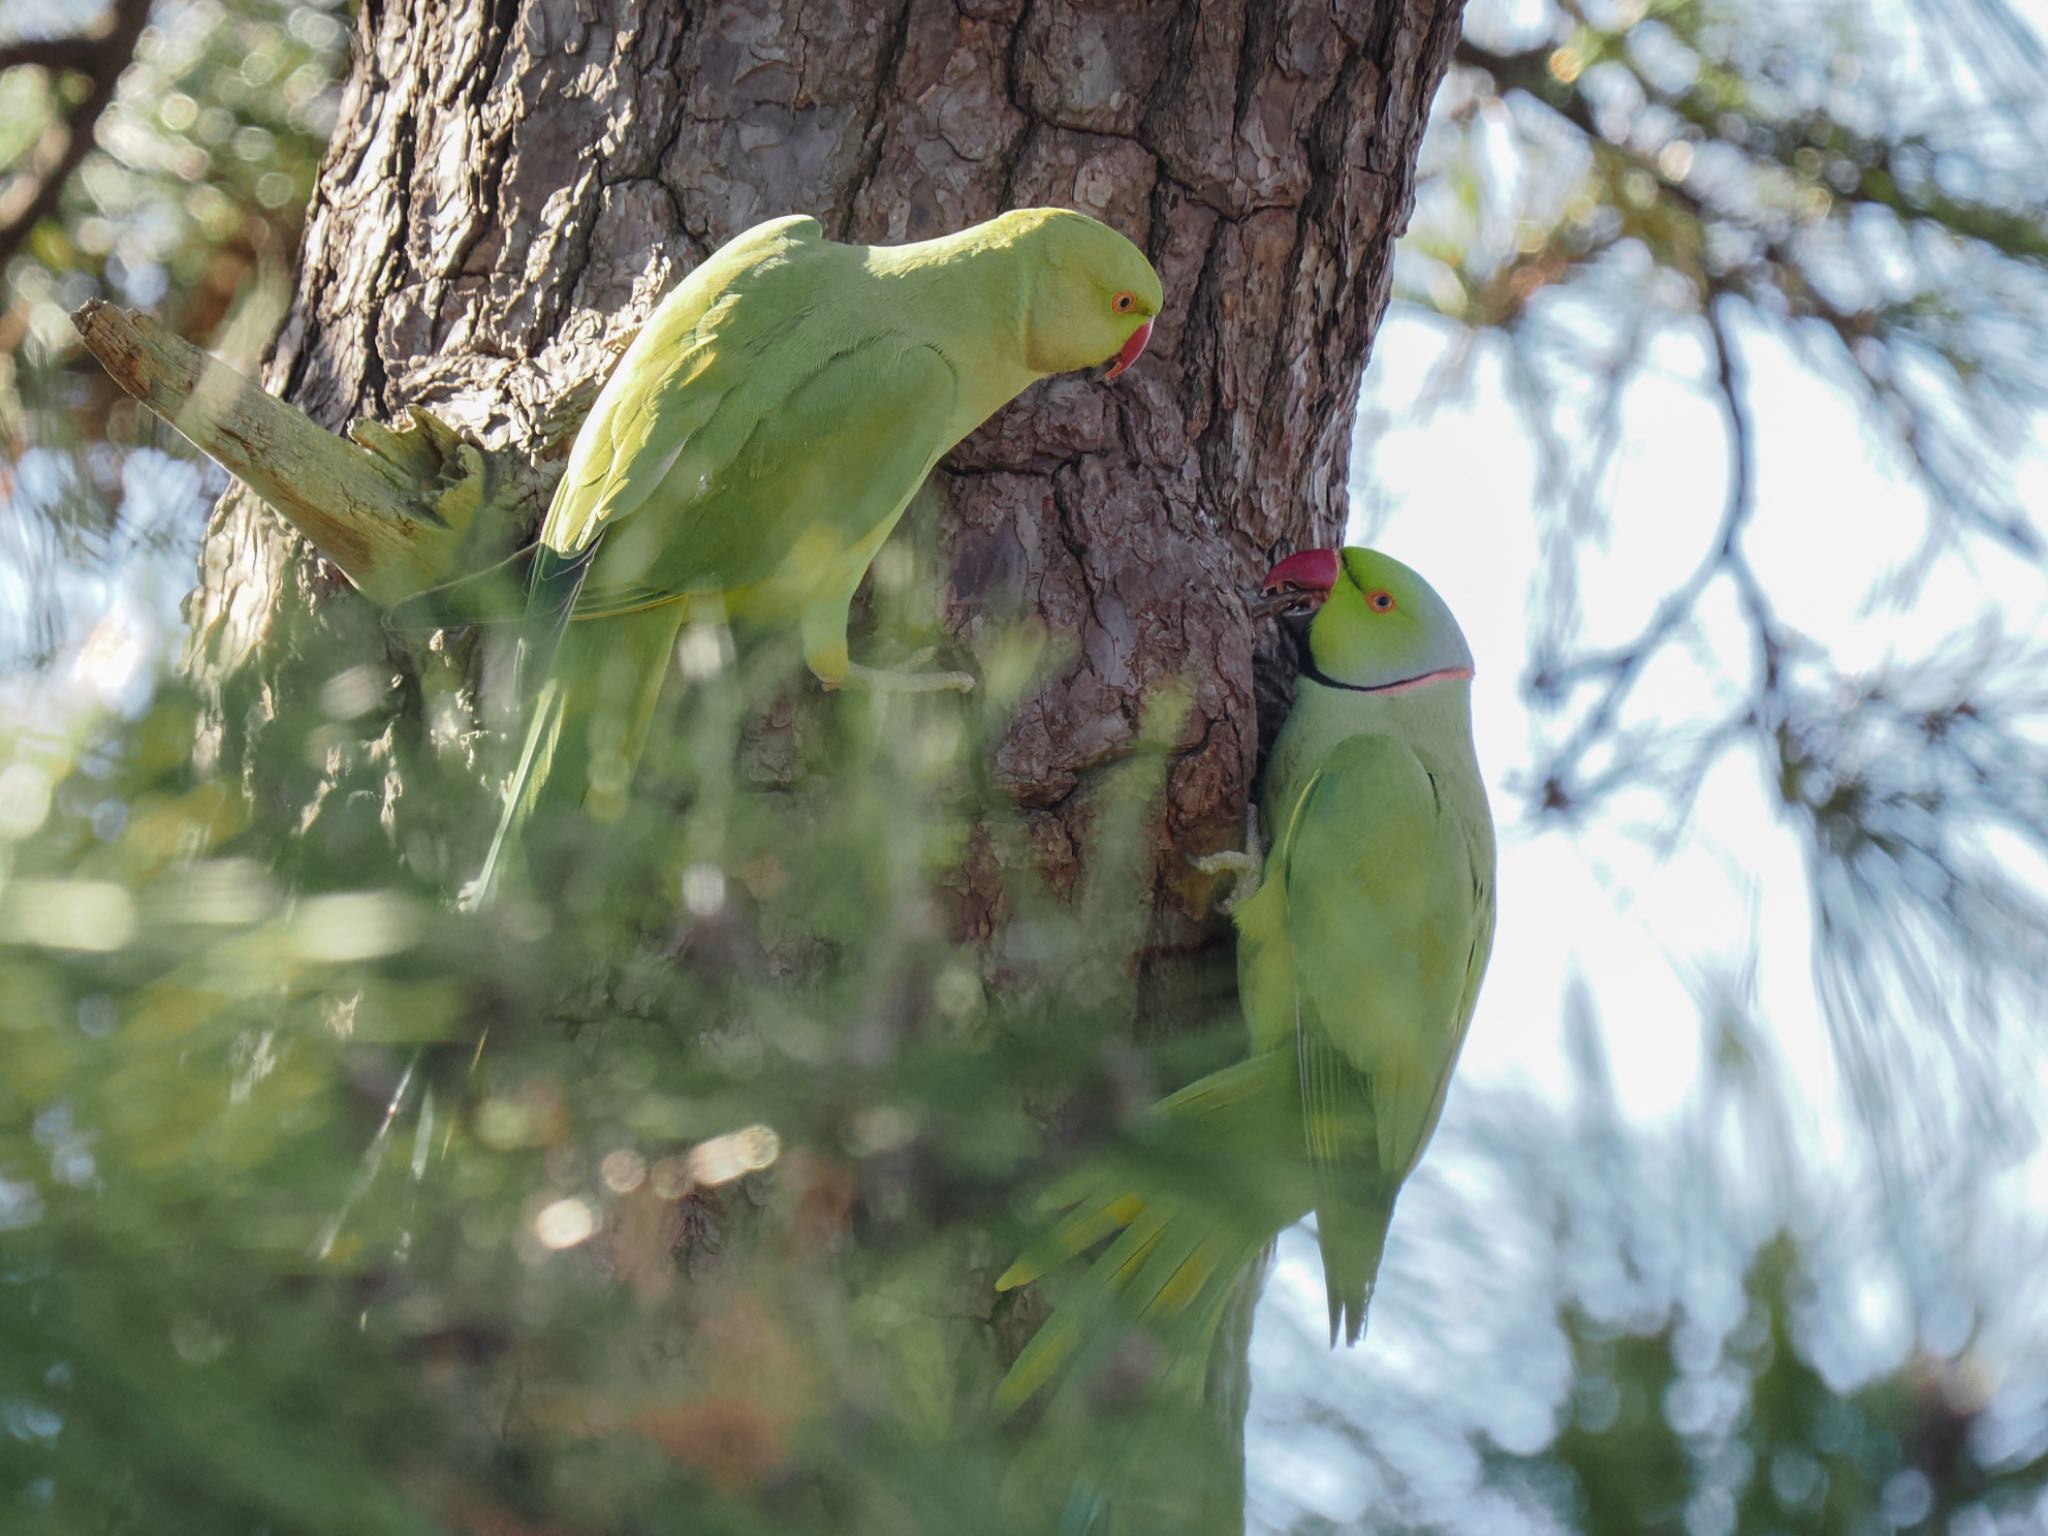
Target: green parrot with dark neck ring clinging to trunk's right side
[1359,964]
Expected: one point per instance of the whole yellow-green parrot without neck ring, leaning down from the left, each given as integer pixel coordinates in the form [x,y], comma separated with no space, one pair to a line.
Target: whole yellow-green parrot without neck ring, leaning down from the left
[763,437]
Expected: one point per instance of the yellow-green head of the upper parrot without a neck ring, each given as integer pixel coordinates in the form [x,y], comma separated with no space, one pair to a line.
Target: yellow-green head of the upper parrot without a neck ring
[1093,296]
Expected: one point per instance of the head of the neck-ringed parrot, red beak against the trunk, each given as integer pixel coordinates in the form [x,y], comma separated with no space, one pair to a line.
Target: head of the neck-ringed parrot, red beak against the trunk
[1377,626]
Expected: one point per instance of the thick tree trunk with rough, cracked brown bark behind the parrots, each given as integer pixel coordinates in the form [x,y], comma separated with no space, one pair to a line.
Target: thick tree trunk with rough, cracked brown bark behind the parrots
[513,185]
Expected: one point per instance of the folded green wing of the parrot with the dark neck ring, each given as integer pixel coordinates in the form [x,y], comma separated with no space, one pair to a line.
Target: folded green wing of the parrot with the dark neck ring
[1390,914]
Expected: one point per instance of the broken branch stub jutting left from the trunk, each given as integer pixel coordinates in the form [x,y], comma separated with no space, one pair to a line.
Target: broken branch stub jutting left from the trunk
[398,509]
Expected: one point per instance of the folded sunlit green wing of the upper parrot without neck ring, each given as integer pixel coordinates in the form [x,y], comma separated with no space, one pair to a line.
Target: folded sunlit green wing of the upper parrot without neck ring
[744,437]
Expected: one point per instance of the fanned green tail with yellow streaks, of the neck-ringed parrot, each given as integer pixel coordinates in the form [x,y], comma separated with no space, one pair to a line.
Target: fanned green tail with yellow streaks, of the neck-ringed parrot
[1189,1209]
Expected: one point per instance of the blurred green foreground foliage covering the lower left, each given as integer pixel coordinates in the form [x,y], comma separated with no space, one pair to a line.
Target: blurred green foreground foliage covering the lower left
[335,1211]
